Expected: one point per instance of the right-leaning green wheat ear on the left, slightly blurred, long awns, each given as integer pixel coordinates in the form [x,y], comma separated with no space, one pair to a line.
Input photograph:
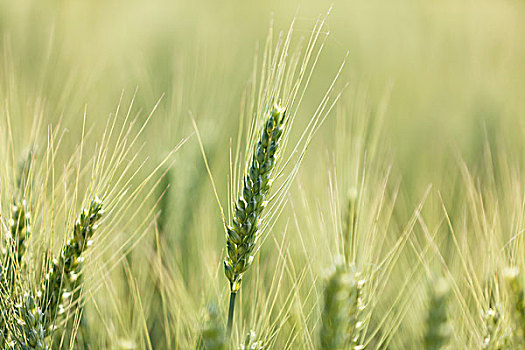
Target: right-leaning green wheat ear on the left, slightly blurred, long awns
[65,270]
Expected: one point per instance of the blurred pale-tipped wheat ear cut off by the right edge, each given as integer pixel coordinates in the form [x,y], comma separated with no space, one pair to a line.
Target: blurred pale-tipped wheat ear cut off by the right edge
[517,305]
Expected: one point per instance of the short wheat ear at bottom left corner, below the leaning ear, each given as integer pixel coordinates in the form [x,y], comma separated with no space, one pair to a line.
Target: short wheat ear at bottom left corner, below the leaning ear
[30,331]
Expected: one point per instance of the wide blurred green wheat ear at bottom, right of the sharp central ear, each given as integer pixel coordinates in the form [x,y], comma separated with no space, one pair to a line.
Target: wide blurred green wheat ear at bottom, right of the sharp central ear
[342,317]
